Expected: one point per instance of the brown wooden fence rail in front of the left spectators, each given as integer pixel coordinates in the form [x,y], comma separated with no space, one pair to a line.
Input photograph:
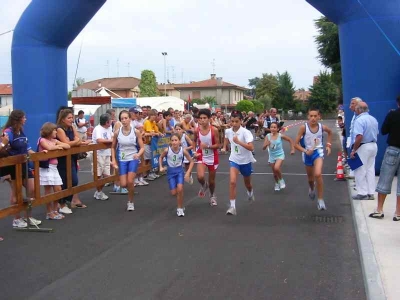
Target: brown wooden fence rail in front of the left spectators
[38,199]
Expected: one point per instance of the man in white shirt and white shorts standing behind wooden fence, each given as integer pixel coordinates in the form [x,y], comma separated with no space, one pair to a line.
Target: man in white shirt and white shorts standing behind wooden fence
[102,133]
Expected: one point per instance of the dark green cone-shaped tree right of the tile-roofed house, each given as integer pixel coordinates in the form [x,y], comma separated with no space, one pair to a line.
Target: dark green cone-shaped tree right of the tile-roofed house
[284,96]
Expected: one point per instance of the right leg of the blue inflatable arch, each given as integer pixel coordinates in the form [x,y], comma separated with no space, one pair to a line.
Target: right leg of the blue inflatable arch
[370,62]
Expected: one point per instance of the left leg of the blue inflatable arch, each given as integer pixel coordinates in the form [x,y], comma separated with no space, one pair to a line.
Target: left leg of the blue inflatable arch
[39,56]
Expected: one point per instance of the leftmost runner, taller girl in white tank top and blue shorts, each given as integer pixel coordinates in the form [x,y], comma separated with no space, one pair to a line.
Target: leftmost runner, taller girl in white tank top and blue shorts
[129,141]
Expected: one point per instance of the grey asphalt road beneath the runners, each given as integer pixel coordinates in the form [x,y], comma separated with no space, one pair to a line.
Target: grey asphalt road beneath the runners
[275,248]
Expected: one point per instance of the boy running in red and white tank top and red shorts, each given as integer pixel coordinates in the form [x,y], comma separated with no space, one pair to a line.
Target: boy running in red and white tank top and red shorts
[207,140]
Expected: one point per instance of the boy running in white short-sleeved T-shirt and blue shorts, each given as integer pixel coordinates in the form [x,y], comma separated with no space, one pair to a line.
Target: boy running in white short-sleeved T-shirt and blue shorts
[240,159]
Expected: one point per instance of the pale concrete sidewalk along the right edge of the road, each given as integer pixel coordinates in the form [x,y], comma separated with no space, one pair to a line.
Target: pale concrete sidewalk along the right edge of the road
[379,244]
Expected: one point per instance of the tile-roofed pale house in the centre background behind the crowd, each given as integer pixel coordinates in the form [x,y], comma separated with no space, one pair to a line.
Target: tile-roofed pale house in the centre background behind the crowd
[225,93]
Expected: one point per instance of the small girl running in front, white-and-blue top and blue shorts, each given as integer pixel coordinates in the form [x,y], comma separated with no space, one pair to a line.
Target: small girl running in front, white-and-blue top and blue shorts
[175,155]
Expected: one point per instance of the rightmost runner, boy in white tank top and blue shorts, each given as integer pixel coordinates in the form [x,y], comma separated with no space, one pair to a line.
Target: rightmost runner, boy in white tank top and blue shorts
[309,140]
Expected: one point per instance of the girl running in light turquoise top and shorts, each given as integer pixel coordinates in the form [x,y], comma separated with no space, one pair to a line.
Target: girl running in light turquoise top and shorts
[273,141]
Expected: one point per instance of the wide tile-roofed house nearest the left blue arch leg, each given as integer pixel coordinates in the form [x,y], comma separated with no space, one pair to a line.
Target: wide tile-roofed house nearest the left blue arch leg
[125,87]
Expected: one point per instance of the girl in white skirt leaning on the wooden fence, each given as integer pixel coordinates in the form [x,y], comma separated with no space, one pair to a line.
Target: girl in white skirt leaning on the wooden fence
[50,179]
